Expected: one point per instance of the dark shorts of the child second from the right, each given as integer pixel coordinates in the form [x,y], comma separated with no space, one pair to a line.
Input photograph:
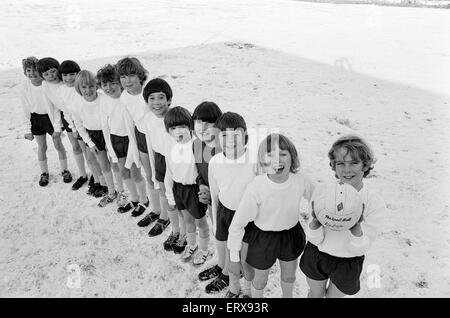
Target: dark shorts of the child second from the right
[265,247]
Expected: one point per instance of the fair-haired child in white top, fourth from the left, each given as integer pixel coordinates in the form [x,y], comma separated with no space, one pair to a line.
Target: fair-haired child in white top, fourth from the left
[87,119]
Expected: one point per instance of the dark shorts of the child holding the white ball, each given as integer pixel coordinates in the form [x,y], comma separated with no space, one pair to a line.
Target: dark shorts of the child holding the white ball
[343,272]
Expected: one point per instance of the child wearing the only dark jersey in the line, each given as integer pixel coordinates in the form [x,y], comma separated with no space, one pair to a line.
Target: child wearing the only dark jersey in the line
[206,145]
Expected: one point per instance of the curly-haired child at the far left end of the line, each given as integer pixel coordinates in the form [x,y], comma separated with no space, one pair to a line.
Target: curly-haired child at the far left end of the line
[36,114]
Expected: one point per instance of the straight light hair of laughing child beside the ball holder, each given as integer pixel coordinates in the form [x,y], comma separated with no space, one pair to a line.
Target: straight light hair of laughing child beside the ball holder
[283,143]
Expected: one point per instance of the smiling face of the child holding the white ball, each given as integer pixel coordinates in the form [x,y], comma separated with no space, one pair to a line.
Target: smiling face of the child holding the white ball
[349,170]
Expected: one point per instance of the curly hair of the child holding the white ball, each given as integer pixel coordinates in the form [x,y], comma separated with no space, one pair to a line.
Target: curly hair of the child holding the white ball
[358,149]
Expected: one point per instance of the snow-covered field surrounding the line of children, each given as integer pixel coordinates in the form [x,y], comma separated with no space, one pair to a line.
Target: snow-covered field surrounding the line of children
[313,70]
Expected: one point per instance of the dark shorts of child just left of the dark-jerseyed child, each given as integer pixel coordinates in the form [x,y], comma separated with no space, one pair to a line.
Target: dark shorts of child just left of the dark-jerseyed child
[186,198]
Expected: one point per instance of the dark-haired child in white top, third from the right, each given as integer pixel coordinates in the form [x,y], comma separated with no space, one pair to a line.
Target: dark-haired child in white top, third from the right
[229,173]
